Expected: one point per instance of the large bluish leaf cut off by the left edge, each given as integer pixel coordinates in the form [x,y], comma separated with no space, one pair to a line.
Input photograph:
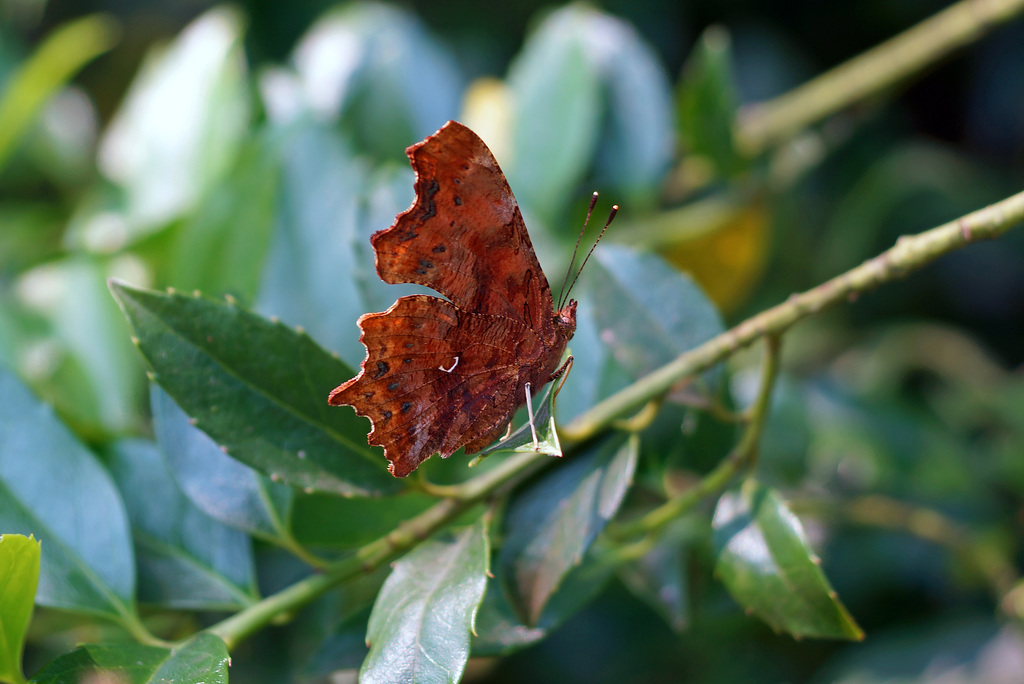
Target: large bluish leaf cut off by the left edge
[55,489]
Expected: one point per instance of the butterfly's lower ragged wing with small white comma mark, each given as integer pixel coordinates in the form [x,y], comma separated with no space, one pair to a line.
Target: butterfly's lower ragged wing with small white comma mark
[435,379]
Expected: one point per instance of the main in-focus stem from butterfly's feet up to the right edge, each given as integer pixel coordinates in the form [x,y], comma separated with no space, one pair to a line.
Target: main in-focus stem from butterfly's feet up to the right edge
[910,254]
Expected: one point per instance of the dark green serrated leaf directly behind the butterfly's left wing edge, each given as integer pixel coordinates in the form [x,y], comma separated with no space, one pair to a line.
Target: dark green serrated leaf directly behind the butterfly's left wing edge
[258,388]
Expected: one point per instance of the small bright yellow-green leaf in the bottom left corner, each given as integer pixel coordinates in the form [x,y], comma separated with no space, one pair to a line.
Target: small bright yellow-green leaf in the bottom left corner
[19,577]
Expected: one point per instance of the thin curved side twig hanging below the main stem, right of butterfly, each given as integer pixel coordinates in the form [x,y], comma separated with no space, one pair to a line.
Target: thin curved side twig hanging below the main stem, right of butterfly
[744,456]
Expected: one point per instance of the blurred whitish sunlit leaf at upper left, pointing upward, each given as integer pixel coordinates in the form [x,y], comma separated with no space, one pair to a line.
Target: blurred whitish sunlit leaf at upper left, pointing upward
[182,124]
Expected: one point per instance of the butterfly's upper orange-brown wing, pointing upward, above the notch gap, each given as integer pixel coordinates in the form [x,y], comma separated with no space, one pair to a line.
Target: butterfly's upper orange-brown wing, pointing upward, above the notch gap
[464,235]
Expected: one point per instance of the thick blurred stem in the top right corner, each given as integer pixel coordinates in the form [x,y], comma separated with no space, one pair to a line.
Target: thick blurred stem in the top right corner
[761,125]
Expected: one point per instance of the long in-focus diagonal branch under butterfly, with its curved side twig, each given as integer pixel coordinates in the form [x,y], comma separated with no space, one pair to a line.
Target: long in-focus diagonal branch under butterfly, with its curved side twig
[909,254]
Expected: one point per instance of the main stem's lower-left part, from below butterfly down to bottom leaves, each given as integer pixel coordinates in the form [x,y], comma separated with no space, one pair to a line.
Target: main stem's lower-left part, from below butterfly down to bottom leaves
[373,555]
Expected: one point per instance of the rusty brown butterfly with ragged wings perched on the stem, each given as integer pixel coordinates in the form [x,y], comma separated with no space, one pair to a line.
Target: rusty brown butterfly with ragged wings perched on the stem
[440,375]
